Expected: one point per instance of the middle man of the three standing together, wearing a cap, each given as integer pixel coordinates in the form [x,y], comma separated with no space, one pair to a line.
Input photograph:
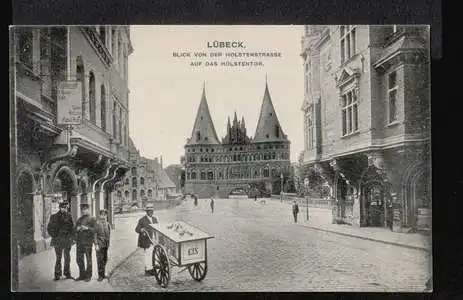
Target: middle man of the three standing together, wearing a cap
[85,229]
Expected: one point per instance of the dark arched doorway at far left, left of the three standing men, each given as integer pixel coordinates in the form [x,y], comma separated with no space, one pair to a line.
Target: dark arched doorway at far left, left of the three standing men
[26,213]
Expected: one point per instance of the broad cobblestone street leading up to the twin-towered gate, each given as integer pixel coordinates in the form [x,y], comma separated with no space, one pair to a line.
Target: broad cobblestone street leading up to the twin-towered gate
[257,247]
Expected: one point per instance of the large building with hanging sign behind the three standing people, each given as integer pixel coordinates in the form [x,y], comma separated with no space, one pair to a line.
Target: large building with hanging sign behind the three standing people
[76,163]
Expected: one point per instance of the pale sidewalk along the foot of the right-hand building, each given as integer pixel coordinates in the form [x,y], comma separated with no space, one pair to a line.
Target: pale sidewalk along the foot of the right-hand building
[320,219]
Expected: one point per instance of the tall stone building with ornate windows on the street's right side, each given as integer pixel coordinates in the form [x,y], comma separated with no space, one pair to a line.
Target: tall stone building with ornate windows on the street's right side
[367,122]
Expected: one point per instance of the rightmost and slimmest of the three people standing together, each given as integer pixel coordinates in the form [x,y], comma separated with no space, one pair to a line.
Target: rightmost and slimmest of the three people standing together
[102,237]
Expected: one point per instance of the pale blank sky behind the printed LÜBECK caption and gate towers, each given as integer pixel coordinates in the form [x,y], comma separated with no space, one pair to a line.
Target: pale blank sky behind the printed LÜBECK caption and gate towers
[165,91]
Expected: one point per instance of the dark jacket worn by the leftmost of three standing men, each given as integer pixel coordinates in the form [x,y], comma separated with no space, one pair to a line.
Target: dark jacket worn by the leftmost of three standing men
[61,229]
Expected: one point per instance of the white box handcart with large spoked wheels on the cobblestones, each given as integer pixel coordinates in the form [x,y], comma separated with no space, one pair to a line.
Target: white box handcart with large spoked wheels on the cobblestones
[179,244]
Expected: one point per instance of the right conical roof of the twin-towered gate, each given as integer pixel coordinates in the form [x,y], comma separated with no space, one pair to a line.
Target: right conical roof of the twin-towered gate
[268,127]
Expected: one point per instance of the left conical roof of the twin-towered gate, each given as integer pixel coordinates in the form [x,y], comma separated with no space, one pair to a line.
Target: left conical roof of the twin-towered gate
[203,129]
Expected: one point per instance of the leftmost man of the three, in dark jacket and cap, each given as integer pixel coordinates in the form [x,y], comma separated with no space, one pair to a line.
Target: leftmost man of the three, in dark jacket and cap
[61,229]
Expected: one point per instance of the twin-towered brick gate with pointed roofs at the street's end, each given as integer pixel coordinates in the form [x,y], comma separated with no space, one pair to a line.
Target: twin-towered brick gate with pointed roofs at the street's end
[257,165]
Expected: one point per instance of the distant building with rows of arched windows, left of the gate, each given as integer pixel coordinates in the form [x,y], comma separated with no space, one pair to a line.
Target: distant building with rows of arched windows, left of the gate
[145,182]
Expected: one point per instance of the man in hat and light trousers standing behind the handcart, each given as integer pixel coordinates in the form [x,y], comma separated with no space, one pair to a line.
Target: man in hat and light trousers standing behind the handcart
[145,233]
